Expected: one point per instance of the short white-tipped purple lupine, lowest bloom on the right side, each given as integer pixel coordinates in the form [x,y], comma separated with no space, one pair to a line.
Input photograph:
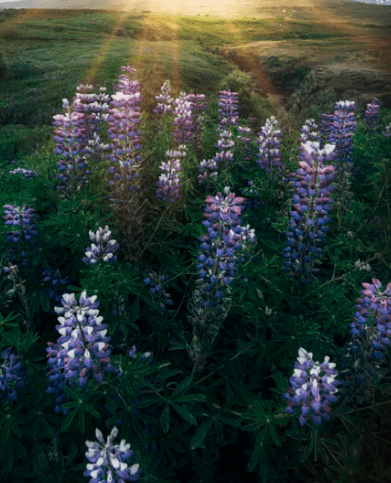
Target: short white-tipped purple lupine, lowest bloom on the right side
[313,386]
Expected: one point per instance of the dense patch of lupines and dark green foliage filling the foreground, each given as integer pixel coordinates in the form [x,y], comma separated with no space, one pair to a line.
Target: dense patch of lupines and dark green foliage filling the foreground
[201,399]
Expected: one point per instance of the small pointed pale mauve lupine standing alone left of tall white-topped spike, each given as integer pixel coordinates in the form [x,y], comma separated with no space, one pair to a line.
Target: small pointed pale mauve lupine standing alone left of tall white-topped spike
[269,146]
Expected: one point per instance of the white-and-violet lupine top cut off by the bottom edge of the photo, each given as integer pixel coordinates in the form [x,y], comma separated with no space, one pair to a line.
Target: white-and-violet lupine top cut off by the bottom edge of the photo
[109,462]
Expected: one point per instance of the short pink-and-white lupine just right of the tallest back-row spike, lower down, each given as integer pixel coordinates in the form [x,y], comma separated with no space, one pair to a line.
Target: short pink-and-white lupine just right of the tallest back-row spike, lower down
[169,184]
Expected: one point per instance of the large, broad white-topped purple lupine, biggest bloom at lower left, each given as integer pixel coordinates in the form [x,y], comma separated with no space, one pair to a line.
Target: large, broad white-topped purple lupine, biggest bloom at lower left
[82,349]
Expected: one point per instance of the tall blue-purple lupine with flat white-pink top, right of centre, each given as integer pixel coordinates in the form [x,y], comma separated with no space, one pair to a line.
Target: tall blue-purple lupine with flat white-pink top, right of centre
[307,226]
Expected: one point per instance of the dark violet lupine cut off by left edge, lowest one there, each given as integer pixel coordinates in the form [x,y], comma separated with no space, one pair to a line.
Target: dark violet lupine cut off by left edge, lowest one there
[12,375]
